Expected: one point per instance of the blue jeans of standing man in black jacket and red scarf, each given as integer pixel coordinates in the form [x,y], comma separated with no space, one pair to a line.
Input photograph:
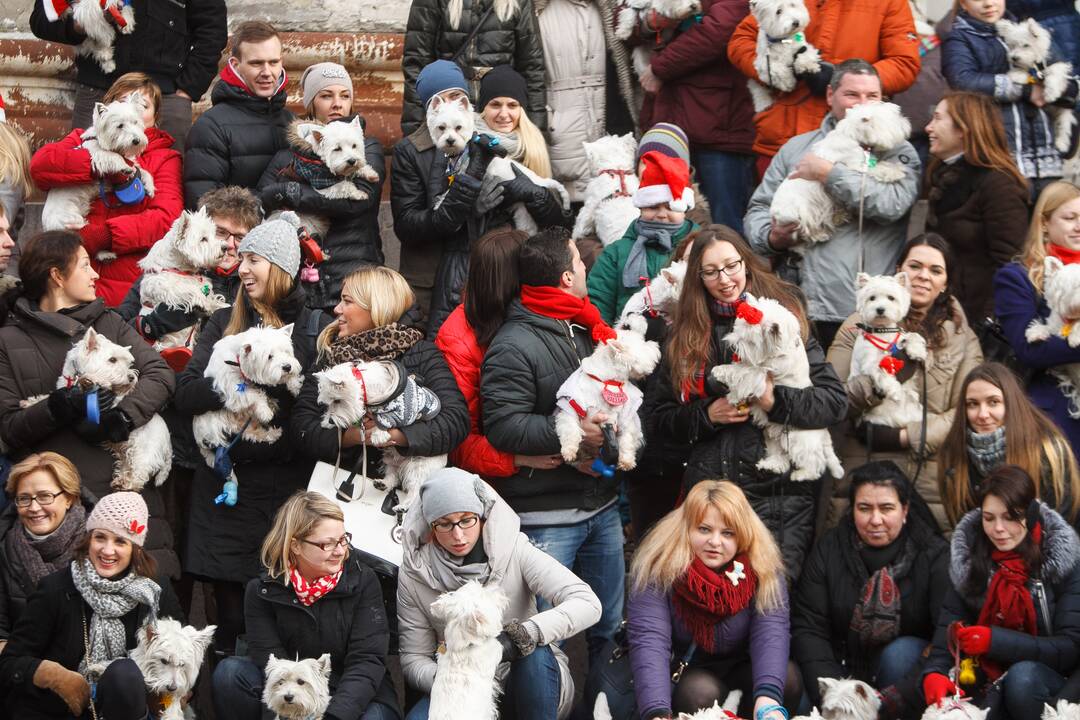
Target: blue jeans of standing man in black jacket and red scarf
[593,551]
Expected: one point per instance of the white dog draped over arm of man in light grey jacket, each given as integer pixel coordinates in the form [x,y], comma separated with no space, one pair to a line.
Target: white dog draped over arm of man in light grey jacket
[876,127]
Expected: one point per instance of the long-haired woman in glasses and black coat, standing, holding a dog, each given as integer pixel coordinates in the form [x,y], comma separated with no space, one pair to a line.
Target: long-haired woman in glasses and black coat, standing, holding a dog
[691,407]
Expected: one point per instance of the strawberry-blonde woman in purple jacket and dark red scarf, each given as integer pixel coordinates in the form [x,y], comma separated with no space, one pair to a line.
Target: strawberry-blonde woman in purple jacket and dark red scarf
[708,590]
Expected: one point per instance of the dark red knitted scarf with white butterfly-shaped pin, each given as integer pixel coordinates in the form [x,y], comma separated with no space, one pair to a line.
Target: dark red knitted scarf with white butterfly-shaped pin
[705,599]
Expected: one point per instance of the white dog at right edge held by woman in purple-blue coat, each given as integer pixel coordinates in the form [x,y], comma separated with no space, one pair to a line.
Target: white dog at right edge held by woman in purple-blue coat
[1061,288]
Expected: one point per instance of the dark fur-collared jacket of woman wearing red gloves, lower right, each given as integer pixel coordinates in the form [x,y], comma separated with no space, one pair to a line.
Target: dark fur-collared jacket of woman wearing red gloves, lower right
[1057,601]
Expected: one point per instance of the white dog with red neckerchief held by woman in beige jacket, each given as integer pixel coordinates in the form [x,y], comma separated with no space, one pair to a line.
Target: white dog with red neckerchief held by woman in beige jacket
[883,303]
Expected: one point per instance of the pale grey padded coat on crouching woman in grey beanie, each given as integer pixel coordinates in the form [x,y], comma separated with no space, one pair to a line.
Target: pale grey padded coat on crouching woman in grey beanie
[522,572]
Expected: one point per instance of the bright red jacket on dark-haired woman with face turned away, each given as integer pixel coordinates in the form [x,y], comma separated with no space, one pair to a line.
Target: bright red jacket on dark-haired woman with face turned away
[458,344]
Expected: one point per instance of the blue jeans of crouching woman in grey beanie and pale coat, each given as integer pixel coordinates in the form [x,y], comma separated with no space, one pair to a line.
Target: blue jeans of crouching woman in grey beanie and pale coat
[532,691]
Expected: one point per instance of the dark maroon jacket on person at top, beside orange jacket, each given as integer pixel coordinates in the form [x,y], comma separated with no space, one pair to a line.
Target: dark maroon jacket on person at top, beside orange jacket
[704,93]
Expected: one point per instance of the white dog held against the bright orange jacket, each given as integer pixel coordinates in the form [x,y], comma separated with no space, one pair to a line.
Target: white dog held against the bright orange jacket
[782,49]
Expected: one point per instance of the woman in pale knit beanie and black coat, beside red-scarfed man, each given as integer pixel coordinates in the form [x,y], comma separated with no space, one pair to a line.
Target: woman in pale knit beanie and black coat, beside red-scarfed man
[291,181]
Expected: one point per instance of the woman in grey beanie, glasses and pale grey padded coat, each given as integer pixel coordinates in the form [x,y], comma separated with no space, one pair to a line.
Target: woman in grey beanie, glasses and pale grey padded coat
[461,531]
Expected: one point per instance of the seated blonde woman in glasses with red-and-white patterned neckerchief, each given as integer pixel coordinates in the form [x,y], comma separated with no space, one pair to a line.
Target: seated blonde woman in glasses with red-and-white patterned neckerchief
[314,597]
